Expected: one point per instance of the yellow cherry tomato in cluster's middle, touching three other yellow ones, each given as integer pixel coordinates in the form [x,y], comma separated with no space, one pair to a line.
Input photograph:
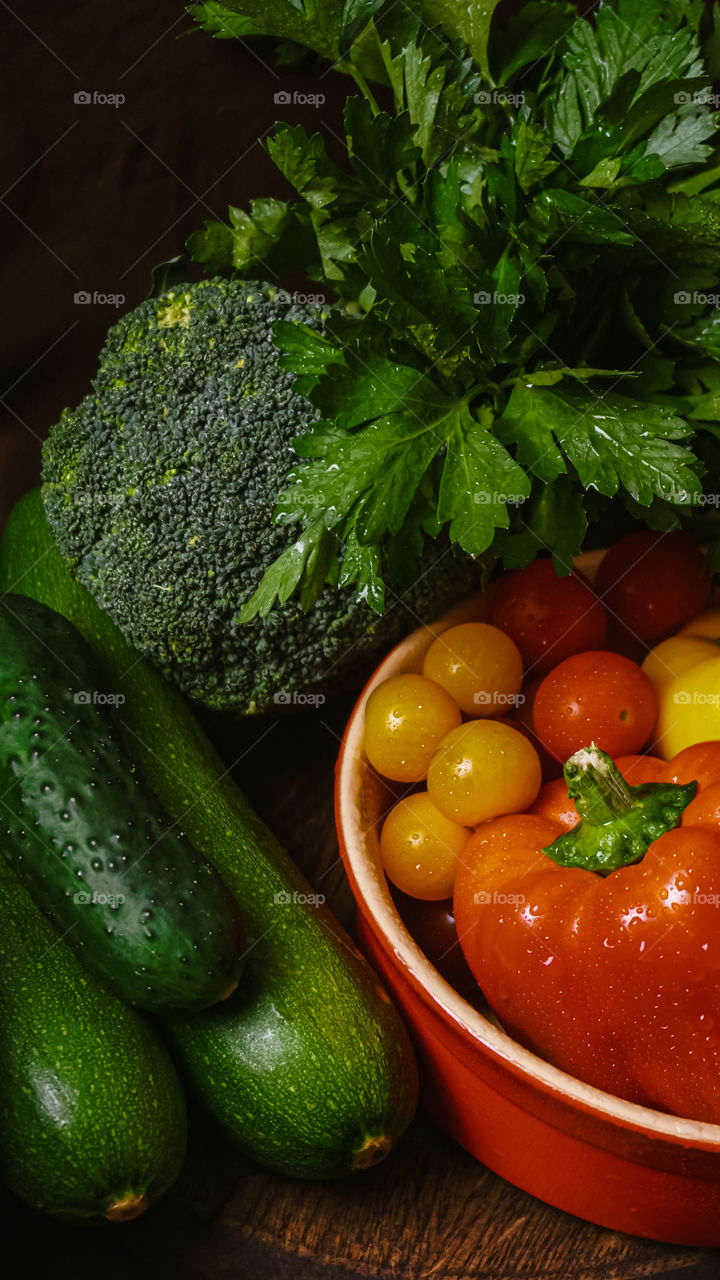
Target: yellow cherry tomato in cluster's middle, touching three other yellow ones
[484,770]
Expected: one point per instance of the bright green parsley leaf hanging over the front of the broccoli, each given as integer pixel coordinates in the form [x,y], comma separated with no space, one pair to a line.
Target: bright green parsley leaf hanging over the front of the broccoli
[371,476]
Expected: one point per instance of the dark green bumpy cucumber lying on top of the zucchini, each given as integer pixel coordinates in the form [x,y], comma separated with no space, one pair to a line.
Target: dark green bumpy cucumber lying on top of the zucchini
[88,838]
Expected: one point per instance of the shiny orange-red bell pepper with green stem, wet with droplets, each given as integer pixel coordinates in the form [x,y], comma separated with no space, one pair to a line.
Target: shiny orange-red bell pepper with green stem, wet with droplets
[598,945]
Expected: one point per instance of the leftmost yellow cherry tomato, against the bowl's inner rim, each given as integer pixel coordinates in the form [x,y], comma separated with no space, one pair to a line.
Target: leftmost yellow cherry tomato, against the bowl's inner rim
[407,719]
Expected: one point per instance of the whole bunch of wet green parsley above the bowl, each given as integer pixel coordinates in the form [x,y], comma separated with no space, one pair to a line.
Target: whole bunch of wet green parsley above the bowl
[530,240]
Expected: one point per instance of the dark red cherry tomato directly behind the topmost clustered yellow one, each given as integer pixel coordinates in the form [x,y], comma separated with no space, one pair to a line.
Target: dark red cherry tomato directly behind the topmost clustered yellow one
[549,618]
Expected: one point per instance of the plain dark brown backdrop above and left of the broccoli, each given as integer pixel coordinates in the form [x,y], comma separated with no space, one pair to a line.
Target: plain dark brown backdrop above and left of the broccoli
[93,195]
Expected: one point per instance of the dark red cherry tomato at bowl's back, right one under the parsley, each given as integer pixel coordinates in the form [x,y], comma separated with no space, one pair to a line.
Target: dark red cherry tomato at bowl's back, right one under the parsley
[654,582]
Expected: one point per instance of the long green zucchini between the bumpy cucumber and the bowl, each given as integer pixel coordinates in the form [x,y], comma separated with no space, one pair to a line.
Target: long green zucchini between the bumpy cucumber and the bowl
[308,1064]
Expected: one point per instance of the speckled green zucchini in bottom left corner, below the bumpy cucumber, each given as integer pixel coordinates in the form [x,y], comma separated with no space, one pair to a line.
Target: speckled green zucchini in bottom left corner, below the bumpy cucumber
[92,1109]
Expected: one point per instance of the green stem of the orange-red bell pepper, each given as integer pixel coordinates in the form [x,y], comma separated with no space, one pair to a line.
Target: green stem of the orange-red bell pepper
[618,822]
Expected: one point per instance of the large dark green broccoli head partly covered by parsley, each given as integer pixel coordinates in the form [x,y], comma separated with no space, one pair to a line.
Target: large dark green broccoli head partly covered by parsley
[161,487]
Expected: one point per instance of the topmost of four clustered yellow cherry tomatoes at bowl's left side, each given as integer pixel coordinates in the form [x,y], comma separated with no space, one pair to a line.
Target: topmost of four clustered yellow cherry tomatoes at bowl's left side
[481,666]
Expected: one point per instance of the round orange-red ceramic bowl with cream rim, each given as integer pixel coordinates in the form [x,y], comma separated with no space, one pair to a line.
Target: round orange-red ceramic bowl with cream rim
[585,1151]
